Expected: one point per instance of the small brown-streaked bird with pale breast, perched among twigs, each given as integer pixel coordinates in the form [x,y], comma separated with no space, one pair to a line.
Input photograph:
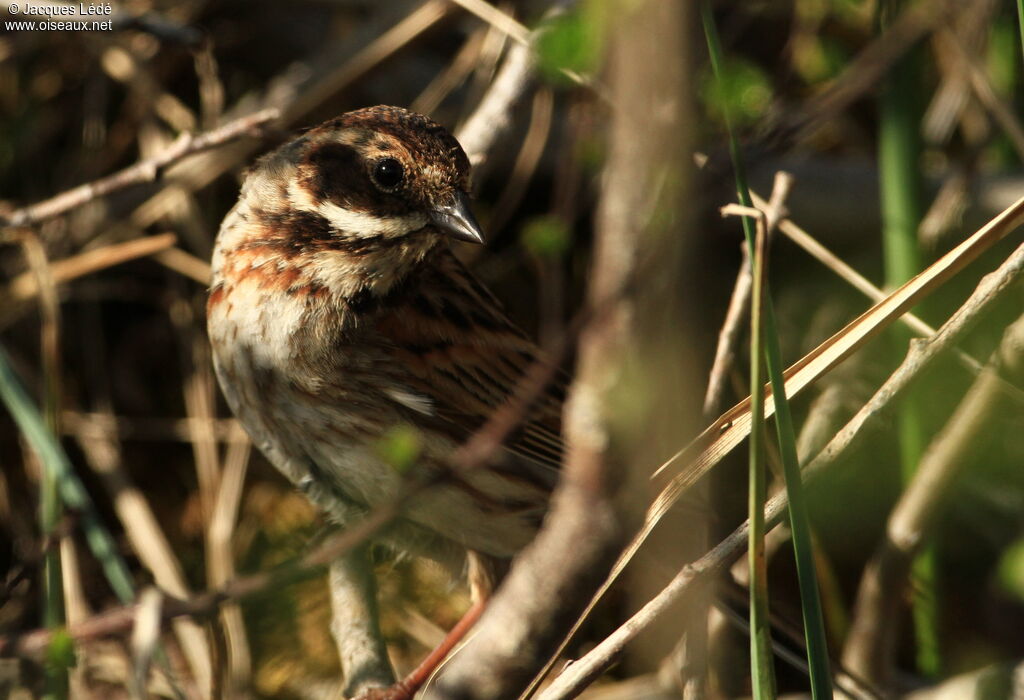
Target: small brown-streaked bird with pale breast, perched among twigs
[338,315]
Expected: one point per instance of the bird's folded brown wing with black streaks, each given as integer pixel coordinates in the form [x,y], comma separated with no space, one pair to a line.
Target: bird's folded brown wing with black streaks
[464,359]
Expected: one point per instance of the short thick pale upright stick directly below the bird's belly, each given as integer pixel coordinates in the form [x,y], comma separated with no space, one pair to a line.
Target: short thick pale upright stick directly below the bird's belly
[356,626]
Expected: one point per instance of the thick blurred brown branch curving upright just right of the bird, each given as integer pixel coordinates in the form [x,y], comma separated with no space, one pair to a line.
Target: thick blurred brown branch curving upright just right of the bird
[611,418]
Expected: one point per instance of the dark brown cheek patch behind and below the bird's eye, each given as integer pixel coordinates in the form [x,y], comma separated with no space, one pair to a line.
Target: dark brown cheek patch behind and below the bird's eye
[336,173]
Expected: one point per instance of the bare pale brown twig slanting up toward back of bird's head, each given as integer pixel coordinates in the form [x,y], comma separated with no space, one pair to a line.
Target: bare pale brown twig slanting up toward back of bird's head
[144,171]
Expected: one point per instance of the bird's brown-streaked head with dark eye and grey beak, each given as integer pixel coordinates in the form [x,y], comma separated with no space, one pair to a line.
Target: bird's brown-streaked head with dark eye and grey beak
[375,177]
